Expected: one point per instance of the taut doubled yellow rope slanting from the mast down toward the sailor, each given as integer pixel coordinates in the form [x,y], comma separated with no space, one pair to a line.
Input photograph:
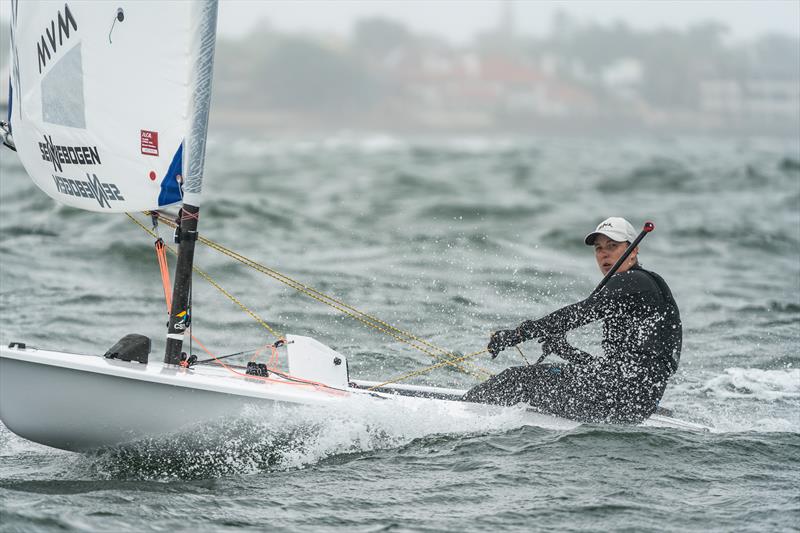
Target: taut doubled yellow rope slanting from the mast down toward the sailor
[436,352]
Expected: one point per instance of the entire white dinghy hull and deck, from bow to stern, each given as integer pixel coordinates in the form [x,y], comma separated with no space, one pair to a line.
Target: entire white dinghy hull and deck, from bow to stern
[83,402]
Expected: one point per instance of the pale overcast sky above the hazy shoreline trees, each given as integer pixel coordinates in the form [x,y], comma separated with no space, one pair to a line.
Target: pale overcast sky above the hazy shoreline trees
[459,20]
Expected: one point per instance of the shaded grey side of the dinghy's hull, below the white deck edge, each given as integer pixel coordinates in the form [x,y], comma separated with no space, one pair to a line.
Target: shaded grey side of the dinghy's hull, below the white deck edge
[79,410]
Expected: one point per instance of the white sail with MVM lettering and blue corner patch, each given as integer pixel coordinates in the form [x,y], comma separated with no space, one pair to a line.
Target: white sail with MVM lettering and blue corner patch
[108,99]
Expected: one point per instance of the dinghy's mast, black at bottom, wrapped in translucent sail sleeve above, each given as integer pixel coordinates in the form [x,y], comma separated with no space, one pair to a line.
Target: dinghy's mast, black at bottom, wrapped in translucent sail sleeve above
[194,159]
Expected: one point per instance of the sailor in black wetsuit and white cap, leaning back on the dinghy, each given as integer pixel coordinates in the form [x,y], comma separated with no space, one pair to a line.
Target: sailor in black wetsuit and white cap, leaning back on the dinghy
[642,338]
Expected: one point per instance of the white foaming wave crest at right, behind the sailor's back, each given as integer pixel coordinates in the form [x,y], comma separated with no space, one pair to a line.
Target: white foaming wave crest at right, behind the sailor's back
[755,383]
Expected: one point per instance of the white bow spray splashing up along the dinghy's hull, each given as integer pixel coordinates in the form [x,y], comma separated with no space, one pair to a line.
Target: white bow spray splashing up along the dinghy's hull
[287,438]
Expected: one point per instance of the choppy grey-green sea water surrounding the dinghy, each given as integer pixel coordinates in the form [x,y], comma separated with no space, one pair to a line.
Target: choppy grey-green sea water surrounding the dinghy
[451,239]
